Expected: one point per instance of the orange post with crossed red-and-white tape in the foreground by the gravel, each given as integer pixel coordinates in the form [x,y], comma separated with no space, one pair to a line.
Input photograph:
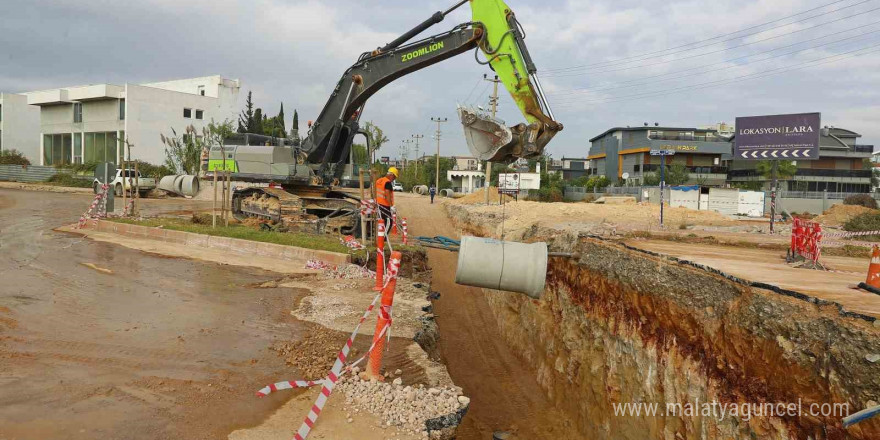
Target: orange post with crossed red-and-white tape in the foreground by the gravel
[339,368]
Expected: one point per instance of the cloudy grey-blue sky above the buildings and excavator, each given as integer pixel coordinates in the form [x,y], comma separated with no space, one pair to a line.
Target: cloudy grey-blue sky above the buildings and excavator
[603,63]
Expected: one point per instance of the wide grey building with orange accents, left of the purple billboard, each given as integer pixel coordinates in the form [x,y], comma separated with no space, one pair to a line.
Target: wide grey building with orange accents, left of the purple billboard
[626,150]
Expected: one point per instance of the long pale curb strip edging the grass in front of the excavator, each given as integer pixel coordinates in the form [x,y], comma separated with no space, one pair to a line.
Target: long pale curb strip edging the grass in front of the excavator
[237,245]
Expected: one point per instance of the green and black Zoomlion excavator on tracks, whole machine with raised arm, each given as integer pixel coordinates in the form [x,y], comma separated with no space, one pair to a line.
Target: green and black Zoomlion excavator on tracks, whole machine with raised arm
[303,174]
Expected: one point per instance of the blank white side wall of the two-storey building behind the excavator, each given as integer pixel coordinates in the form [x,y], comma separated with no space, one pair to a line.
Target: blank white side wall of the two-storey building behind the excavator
[151,111]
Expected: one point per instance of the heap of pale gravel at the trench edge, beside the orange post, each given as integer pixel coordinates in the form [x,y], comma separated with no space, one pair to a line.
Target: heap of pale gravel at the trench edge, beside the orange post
[407,408]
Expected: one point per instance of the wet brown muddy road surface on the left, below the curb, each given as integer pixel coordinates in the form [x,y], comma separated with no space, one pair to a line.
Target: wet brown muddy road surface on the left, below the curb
[155,348]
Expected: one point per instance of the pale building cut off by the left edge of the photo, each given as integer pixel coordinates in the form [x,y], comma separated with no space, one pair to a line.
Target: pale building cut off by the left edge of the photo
[19,125]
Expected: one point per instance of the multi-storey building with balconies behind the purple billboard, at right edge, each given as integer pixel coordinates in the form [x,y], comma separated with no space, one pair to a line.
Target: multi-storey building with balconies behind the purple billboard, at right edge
[839,168]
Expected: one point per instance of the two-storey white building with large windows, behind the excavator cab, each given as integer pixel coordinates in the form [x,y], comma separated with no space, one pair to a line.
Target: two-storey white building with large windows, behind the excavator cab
[89,123]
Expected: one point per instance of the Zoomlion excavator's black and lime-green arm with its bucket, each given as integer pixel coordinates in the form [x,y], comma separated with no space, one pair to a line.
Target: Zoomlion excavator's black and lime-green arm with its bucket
[495,32]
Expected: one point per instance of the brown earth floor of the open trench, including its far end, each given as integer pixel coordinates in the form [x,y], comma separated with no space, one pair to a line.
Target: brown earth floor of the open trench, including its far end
[505,395]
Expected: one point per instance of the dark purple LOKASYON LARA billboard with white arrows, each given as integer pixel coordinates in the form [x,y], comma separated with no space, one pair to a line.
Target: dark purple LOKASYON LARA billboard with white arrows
[791,137]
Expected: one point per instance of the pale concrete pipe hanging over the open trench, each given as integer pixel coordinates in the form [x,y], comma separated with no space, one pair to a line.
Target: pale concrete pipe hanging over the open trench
[502,265]
